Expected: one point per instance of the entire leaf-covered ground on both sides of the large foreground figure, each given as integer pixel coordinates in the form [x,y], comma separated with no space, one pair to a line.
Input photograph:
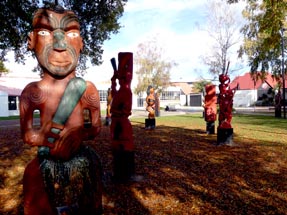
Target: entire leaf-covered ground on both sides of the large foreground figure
[183,171]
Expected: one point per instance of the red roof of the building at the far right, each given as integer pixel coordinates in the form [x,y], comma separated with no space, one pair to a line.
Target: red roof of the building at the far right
[245,82]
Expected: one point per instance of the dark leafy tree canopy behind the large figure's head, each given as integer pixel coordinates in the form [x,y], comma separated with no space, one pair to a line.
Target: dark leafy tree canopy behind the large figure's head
[98,20]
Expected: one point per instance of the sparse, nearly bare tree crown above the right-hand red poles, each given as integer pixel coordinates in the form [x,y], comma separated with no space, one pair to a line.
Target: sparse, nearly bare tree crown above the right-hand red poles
[223,28]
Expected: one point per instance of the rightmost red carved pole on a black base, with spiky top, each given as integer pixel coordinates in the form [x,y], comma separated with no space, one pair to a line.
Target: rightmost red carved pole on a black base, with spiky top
[225,130]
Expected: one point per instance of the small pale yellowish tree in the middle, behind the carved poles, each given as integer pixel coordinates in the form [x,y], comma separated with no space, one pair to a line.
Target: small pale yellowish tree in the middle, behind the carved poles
[152,68]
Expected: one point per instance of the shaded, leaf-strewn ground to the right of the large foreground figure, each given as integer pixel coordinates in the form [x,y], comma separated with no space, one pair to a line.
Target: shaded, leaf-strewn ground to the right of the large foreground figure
[186,173]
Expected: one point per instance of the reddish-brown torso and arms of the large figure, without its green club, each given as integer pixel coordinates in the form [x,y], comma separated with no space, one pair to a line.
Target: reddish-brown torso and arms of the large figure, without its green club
[45,97]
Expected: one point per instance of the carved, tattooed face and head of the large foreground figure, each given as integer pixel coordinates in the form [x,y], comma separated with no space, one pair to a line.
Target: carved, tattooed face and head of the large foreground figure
[56,41]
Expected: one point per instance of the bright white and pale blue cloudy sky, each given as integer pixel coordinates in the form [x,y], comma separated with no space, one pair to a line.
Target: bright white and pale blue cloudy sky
[175,25]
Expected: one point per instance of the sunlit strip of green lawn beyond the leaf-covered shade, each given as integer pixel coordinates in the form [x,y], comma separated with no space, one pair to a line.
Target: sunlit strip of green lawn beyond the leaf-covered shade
[261,129]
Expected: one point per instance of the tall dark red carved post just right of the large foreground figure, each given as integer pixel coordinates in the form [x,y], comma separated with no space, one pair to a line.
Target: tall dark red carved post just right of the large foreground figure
[121,128]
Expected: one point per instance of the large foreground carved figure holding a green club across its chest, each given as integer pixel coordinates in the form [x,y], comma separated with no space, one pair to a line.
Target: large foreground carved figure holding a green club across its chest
[65,177]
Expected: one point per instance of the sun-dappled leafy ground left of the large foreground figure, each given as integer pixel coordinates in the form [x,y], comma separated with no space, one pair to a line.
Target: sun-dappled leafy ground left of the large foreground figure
[14,158]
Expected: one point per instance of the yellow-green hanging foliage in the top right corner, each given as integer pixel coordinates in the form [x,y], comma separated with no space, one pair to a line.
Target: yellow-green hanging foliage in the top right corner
[263,38]
